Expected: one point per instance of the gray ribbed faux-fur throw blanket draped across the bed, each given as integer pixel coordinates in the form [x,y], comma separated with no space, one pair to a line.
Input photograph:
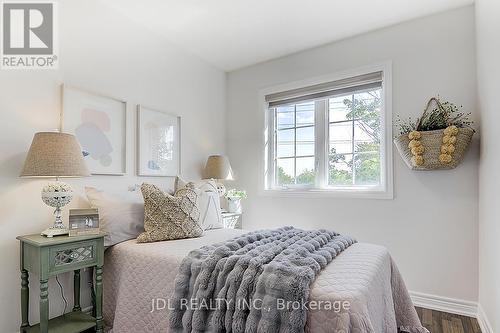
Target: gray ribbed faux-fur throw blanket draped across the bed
[244,284]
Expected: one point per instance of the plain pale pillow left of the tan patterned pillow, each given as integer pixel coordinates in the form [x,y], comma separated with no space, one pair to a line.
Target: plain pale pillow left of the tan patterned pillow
[121,216]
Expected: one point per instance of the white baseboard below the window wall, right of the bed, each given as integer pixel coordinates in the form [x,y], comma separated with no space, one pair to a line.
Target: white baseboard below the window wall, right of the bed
[445,304]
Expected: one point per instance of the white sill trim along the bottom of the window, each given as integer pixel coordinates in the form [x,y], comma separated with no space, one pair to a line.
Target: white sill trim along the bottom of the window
[339,193]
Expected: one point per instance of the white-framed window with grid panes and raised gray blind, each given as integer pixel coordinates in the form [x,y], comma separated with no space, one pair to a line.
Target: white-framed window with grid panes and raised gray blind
[330,137]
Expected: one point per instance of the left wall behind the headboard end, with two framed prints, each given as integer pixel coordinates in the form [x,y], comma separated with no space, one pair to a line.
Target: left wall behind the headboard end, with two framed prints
[105,52]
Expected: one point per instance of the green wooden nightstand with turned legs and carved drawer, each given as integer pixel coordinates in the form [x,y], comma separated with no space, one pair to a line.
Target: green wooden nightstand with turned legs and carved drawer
[48,257]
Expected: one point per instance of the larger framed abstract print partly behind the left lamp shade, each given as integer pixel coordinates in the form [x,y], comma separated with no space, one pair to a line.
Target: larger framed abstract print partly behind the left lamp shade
[99,124]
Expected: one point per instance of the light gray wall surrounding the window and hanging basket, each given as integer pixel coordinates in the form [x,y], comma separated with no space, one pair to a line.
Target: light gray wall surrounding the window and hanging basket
[431,226]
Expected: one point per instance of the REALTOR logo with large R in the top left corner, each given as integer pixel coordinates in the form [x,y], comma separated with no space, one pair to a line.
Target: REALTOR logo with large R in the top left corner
[28,35]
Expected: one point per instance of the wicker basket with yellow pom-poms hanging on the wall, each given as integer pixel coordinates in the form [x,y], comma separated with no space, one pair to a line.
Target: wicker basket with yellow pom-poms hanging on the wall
[434,150]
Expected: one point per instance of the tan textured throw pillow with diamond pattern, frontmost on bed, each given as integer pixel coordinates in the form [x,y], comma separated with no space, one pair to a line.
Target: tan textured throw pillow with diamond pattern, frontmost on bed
[168,217]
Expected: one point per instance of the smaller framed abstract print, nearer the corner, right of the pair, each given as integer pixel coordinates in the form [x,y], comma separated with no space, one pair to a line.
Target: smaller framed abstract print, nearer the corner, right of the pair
[159,143]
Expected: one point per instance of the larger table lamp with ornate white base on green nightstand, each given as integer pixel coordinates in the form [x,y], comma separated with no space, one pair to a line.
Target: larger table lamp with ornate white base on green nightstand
[55,155]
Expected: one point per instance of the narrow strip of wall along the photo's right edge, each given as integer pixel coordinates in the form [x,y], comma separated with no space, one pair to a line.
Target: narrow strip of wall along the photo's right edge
[488,65]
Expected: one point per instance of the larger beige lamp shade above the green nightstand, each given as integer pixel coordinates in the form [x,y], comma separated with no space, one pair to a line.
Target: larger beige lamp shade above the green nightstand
[54,154]
